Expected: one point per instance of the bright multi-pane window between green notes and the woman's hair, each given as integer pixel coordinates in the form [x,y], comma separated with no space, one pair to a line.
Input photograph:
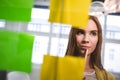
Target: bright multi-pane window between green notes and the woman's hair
[50,38]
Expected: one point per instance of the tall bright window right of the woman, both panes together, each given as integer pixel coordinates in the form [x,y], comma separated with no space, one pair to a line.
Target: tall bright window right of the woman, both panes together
[112,44]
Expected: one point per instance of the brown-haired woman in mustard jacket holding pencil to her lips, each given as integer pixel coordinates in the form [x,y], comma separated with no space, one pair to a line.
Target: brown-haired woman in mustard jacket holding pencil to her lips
[89,41]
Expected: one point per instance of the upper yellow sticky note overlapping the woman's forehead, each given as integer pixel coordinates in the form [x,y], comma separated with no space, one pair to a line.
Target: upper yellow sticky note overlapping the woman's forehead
[74,12]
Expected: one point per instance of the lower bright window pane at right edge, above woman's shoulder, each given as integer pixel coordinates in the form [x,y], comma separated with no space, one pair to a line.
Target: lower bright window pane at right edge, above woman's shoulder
[112,57]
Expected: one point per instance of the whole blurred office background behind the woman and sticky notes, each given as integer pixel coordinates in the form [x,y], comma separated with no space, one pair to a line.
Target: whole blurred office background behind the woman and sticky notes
[52,37]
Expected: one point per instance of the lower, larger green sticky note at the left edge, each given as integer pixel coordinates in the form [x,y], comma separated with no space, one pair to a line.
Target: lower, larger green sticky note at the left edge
[15,51]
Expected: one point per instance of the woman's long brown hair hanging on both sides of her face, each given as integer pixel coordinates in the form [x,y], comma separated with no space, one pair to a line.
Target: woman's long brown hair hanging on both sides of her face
[72,49]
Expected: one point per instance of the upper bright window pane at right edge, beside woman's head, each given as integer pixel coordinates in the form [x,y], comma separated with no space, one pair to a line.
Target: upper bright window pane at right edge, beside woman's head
[113,28]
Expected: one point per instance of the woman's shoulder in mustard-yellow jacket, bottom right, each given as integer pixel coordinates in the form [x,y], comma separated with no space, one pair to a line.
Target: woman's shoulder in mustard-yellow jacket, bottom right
[103,74]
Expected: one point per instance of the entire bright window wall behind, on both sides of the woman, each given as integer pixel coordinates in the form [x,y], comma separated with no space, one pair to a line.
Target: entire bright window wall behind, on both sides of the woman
[52,38]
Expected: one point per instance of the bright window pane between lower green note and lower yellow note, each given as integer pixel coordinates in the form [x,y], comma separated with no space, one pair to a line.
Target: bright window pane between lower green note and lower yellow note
[39,49]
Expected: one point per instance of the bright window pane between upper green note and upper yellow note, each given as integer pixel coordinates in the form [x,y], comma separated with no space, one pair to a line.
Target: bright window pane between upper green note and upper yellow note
[39,22]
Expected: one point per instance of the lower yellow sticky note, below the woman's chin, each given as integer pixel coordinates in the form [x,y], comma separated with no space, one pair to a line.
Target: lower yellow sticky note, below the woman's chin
[62,68]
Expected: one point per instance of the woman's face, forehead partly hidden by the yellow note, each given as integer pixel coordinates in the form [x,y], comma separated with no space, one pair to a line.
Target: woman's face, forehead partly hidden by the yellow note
[87,38]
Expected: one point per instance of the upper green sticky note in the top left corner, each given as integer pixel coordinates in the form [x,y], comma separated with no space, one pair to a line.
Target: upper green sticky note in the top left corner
[16,10]
